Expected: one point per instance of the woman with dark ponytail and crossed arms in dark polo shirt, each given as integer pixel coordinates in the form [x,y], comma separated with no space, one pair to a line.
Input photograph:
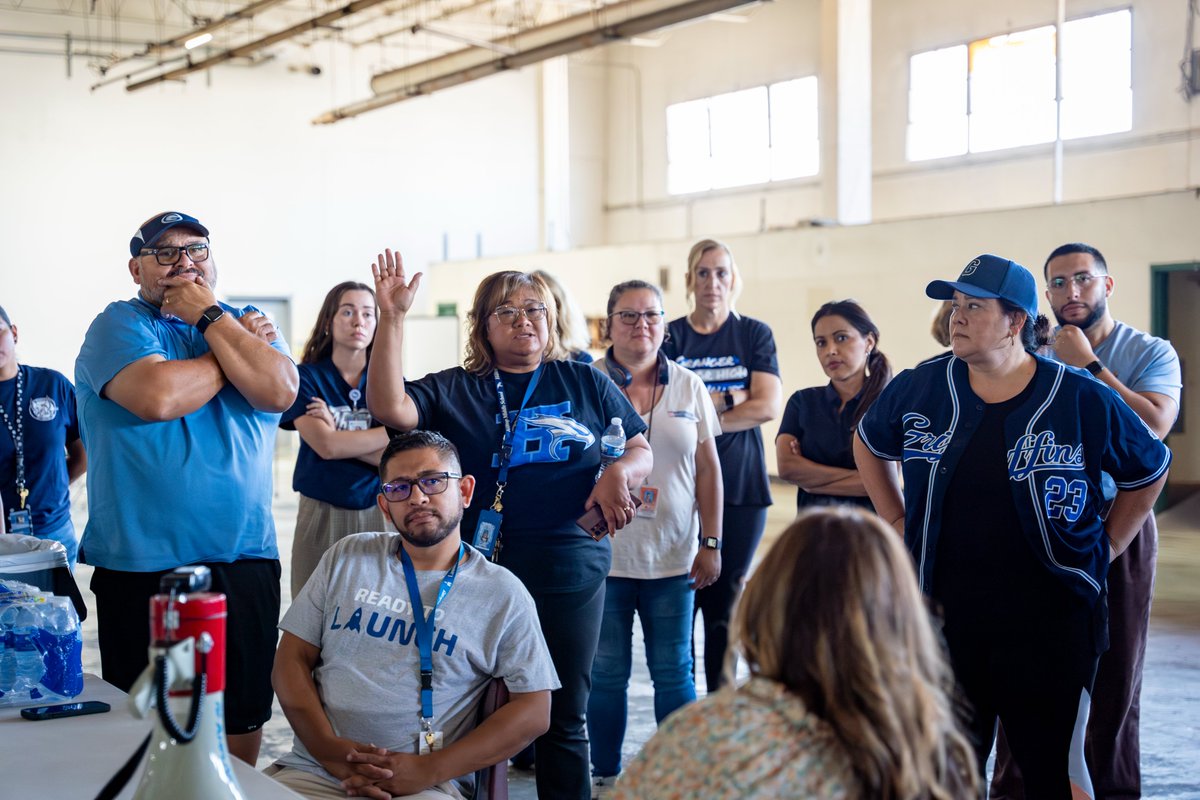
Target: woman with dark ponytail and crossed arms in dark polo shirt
[814,448]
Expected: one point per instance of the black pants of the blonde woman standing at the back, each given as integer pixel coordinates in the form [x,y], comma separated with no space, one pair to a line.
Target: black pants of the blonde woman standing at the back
[742,532]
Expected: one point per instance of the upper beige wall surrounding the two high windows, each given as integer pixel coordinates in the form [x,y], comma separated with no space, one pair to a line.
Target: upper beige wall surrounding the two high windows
[783,40]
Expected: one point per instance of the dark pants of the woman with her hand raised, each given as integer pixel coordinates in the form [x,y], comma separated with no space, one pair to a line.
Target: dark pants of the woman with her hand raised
[571,622]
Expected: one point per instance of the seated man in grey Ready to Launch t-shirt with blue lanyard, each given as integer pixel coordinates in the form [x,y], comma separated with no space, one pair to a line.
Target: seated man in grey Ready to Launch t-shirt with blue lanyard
[385,701]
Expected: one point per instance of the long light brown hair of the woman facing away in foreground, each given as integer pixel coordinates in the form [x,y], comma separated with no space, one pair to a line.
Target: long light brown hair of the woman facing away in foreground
[836,616]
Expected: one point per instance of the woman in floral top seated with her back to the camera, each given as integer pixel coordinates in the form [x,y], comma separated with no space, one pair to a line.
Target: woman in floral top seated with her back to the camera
[849,691]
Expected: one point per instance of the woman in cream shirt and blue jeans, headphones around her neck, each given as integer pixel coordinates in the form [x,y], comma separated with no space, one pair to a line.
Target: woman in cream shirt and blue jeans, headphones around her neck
[674,545]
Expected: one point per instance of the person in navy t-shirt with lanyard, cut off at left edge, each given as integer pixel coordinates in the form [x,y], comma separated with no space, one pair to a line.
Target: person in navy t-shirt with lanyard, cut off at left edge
[41,452]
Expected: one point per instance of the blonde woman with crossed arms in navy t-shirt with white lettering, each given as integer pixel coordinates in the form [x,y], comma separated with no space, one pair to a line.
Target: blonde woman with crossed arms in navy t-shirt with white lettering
[735,357]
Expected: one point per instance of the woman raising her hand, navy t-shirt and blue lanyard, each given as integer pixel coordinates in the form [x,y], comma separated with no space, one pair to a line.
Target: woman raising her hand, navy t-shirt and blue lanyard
[527,425]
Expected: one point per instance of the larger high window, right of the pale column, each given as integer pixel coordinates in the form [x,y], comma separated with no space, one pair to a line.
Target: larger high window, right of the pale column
[999,93]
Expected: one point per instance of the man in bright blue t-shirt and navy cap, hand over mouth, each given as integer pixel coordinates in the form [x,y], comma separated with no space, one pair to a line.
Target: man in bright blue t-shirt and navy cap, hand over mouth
[179,399]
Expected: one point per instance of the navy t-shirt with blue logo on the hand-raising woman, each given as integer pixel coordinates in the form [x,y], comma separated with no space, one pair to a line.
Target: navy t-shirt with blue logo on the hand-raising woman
[556,455]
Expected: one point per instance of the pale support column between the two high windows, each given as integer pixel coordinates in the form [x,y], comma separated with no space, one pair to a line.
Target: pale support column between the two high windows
[845,109]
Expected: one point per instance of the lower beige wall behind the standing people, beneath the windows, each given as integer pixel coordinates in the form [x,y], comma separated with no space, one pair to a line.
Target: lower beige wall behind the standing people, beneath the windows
[886,267]
